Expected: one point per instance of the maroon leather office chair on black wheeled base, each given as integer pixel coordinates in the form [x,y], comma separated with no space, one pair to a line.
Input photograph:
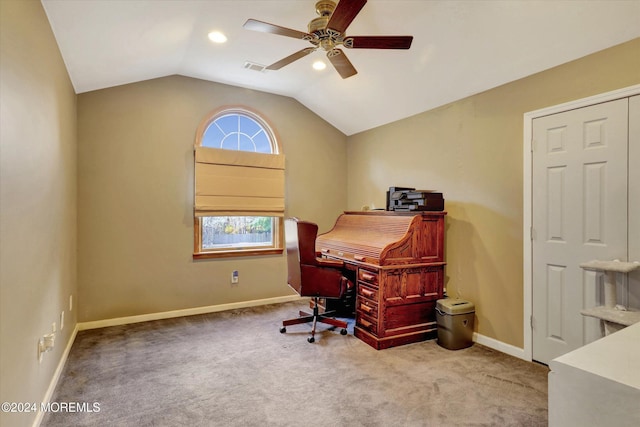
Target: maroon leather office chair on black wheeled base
[311,276]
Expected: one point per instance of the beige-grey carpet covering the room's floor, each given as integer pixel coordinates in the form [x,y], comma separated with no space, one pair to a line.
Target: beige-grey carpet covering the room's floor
[235,369]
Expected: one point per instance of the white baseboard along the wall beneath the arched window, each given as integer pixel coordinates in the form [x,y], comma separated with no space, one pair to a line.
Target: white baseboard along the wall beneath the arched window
[186,312]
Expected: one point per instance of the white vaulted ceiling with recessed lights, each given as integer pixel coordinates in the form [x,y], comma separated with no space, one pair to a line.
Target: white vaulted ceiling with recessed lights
[459,48]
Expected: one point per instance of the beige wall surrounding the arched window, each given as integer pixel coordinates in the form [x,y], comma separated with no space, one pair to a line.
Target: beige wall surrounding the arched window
[136,195]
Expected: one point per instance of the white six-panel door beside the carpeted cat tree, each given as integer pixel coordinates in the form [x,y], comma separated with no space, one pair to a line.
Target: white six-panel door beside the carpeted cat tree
[579,214]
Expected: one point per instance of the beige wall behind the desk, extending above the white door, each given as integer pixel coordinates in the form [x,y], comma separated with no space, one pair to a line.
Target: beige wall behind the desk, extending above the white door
[471,150]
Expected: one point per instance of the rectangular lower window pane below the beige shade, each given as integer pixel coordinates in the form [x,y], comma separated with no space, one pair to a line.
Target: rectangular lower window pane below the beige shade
[233,232]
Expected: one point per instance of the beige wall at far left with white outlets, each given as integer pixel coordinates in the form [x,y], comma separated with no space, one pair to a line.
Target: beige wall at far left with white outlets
[37,203]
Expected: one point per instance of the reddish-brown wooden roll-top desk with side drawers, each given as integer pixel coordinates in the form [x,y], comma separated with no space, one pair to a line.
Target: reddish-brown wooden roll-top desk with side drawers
[397,263]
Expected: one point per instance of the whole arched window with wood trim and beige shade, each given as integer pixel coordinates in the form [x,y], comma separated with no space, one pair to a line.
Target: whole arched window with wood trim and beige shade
[239,186]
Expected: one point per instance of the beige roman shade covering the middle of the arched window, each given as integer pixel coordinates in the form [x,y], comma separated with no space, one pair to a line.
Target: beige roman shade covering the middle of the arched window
[230,182]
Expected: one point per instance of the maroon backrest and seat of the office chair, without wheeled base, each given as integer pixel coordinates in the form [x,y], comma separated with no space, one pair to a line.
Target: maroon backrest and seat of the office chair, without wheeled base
[305,275]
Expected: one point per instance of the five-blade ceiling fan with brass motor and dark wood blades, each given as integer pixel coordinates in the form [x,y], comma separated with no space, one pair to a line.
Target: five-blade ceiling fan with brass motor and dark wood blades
[327,32]
